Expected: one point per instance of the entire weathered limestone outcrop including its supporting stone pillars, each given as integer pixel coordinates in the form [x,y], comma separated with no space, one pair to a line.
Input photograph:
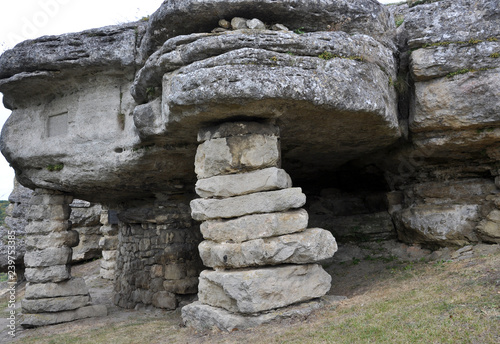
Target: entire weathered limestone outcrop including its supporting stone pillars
[386,117]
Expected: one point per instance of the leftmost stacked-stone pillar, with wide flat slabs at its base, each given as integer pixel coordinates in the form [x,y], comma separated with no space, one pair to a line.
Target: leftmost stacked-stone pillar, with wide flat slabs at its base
[52,295]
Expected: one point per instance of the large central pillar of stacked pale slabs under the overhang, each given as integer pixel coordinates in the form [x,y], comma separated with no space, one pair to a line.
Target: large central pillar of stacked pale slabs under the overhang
[256,238]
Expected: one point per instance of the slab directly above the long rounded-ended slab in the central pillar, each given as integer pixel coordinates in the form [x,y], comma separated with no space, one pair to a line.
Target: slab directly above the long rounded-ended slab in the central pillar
[255,226]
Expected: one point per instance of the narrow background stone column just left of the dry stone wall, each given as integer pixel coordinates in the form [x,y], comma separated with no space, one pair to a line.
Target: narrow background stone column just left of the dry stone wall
[109,245]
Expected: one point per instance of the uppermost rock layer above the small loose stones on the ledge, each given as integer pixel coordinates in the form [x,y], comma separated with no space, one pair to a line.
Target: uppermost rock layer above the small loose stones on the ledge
[172,18]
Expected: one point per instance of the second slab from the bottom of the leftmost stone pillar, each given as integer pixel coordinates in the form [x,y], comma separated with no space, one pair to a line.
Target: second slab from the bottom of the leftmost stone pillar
[55,304]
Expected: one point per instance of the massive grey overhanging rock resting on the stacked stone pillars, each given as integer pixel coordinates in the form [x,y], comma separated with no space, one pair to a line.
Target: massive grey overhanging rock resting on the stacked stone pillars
[194,79]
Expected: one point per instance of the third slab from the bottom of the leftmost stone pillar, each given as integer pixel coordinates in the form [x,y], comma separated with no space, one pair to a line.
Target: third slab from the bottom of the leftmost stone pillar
[72,287]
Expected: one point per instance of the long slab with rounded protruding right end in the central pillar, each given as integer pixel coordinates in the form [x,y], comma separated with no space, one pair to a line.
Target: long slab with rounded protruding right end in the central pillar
[309,246]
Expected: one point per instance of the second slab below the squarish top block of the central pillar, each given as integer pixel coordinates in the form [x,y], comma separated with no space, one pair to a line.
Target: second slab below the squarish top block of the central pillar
[257,203]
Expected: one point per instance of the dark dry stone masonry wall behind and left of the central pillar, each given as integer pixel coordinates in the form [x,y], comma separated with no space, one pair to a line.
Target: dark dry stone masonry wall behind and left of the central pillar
[157,260]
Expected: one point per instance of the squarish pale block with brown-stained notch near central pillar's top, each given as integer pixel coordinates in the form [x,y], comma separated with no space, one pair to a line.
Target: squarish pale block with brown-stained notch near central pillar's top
[236,154]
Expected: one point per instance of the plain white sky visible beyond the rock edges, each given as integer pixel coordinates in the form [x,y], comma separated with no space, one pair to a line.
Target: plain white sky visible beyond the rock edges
[27,19]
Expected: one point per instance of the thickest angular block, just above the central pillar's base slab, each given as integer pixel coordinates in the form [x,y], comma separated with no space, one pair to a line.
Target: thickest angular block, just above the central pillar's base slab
[257,290]
